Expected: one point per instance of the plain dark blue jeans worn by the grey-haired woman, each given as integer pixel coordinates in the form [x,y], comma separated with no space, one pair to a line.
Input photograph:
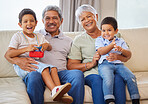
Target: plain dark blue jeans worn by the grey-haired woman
[95,82]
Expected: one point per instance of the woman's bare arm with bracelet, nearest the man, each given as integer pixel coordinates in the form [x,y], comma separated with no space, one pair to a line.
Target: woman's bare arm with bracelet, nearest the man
[76,64]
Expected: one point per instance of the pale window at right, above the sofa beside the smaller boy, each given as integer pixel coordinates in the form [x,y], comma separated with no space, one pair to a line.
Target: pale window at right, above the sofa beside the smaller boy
[132,13]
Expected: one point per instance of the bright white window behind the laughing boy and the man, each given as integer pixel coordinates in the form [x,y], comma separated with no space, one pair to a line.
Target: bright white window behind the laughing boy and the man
[10,9]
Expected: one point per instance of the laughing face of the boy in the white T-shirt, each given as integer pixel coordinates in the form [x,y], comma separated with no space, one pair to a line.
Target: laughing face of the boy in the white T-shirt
[28,24]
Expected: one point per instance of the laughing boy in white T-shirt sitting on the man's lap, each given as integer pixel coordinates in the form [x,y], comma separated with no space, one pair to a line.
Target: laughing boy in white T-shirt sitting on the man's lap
[25,41]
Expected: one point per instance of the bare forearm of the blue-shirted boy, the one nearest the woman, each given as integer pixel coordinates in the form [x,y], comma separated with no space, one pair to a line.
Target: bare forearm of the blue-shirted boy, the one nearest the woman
[106,49]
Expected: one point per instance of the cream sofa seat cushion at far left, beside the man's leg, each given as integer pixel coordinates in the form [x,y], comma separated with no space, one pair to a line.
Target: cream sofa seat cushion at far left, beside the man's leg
[13,90]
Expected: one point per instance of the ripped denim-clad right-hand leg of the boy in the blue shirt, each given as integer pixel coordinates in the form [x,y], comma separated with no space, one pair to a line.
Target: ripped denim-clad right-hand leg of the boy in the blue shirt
[130,78]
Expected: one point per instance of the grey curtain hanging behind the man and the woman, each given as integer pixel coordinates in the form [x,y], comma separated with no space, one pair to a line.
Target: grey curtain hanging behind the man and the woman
[69,7]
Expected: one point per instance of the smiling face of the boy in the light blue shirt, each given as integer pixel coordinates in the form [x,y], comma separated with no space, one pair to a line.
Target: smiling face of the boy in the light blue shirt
[108,31]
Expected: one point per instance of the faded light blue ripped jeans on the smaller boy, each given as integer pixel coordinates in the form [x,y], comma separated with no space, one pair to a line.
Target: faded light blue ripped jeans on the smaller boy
[107,71]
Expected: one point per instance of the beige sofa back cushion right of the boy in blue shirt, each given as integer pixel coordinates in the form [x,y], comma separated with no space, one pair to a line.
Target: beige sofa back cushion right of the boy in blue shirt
[137,41]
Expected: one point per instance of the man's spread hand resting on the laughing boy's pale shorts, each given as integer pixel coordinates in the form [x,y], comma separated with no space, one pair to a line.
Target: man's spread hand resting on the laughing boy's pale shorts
[25,64]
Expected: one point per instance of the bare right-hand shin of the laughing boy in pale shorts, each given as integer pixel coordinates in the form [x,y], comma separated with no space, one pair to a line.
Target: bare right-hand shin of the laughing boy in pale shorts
[54,76]
